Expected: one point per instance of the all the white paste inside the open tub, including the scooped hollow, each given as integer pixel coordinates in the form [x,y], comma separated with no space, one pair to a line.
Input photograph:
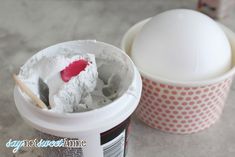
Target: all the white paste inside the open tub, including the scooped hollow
[104,80]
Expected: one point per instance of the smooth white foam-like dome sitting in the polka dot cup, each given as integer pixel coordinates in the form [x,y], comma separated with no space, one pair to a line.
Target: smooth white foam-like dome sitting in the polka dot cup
[182,45]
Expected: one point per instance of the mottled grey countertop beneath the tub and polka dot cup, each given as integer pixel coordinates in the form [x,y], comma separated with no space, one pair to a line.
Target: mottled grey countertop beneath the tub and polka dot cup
[26,26]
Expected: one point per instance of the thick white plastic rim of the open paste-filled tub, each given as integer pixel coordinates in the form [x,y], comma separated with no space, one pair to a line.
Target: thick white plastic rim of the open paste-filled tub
[65,124]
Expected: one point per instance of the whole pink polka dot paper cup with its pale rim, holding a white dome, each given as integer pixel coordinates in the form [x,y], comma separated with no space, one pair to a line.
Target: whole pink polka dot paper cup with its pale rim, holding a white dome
[181,107]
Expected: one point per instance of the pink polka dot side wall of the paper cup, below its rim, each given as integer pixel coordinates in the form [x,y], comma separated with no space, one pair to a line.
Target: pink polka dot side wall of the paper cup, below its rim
[182,110]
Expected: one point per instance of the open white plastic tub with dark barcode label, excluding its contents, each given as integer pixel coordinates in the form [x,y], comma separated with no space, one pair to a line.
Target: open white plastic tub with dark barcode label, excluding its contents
[99,128]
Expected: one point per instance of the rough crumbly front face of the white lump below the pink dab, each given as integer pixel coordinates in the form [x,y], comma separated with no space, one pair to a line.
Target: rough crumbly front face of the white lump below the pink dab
[75,95]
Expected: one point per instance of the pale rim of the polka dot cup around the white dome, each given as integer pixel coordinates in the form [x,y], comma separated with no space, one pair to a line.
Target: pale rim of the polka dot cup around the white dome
[134,30]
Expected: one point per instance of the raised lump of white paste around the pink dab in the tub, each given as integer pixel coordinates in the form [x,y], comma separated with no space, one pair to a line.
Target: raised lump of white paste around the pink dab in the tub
[72,96]
